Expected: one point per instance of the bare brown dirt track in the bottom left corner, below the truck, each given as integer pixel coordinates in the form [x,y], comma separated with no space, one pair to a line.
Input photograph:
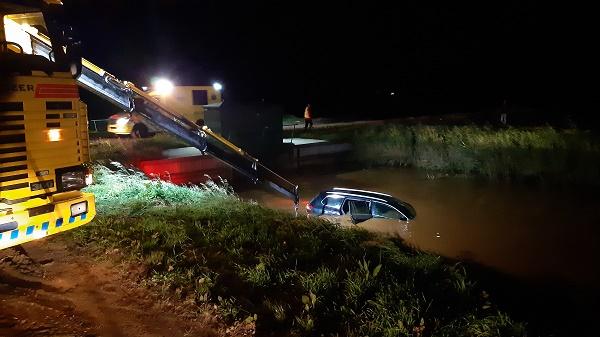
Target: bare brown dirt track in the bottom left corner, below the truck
[50,288]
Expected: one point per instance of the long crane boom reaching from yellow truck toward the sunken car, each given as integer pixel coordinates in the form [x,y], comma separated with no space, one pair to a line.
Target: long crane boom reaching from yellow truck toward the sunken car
[128,97]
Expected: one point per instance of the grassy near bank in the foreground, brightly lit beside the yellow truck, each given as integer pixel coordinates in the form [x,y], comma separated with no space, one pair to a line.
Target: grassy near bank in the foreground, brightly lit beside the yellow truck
[293,275]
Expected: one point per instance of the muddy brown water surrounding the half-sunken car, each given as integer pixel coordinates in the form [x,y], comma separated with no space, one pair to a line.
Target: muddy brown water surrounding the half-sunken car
[534,232]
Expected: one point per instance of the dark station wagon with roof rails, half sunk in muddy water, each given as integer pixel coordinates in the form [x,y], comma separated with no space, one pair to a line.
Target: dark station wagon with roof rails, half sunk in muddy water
[346,206]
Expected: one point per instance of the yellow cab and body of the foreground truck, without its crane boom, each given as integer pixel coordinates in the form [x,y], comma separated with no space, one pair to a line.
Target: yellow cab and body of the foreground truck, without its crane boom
[43,133]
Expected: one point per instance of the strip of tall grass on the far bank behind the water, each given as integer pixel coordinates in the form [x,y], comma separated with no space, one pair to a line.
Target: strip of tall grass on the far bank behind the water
[542,153]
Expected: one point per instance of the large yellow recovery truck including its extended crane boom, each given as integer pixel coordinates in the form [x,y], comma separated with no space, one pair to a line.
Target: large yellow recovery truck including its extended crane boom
[44,128]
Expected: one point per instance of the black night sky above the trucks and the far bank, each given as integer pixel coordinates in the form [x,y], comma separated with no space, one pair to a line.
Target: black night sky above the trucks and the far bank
[343,56]
